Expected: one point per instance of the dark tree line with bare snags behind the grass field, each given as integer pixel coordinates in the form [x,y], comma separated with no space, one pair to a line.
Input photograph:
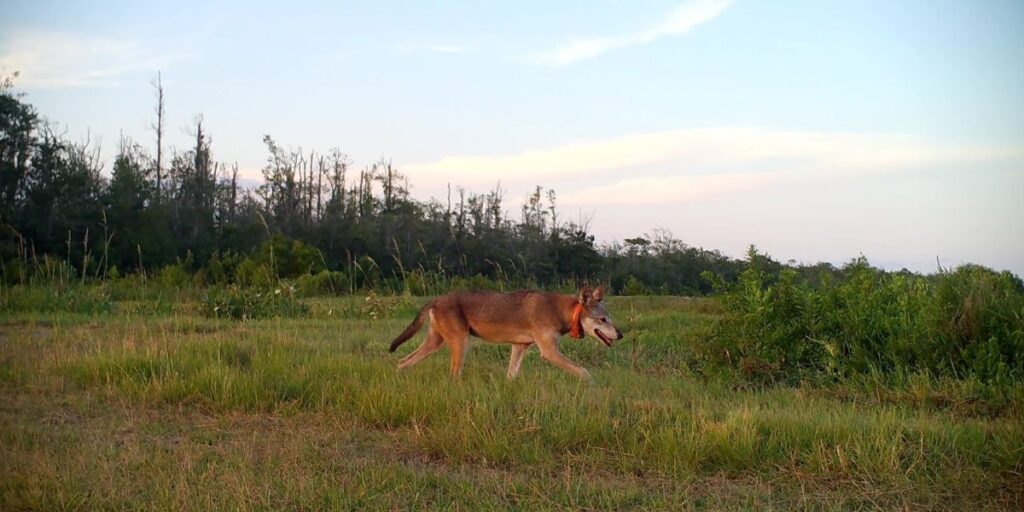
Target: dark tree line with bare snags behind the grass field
[313,212]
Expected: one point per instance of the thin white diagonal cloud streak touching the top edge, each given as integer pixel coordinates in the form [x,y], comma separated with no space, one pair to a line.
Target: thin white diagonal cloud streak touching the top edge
[682,20]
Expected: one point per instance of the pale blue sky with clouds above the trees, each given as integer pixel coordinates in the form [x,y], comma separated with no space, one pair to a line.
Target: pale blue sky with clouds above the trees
[818,132]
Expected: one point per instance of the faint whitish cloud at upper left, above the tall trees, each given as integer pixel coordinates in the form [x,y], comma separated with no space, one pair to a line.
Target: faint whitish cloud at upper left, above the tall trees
[55,60]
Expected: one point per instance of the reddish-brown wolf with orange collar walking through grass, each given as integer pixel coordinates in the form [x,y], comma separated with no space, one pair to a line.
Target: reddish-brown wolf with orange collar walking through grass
[521,319]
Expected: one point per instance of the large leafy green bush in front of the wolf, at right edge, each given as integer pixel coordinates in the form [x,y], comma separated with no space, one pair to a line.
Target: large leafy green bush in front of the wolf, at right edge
[967,323]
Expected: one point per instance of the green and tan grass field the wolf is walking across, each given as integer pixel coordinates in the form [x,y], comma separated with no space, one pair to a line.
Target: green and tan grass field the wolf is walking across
[159,408]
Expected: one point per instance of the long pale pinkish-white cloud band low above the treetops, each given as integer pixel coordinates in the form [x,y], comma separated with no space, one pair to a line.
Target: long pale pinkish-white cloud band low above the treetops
[685,164]
